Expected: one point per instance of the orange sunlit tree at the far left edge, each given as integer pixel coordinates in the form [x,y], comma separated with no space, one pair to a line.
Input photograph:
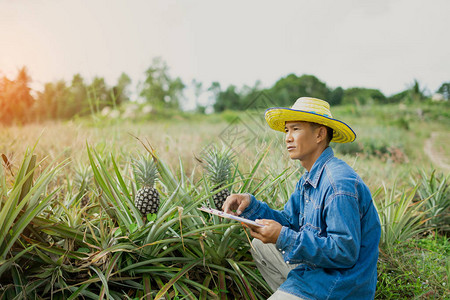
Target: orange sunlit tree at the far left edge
[15,98]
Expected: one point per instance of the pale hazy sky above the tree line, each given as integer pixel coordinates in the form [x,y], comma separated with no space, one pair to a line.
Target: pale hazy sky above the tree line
[374,44]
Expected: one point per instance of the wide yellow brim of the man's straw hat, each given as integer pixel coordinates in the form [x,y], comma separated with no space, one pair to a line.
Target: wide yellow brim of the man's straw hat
[278,116]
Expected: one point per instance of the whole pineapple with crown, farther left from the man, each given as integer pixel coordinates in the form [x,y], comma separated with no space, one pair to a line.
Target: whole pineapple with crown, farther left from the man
[147,197]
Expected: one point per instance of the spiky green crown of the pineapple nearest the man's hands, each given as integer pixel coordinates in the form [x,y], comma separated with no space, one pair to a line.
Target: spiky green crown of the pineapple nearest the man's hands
[218,165]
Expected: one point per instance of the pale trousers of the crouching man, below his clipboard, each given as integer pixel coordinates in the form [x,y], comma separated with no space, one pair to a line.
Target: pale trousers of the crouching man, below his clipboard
[273,268]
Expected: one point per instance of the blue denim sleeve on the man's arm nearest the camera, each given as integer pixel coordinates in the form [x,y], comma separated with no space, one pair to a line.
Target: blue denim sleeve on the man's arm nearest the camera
[338,247]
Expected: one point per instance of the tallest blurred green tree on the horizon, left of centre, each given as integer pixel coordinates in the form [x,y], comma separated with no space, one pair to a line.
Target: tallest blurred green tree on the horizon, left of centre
[159,88]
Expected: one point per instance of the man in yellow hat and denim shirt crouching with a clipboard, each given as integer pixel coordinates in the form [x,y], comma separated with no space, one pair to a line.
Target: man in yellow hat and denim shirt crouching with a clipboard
[324,243]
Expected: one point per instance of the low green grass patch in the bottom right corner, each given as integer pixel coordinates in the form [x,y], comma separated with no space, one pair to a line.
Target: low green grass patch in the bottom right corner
[418,268]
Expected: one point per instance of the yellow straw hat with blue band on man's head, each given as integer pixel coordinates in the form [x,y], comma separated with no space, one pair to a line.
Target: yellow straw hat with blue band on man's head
[310,110]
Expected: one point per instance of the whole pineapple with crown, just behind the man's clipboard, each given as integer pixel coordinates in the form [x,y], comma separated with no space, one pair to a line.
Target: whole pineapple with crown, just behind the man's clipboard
[218,168]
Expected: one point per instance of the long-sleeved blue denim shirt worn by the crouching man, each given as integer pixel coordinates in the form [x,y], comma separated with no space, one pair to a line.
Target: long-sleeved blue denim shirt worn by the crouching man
[331,229]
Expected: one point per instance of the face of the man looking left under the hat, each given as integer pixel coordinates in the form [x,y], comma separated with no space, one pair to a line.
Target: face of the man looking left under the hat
[301,142]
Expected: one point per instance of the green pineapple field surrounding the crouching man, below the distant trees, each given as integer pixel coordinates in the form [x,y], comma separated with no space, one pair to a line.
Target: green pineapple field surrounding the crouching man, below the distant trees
[107,208]
